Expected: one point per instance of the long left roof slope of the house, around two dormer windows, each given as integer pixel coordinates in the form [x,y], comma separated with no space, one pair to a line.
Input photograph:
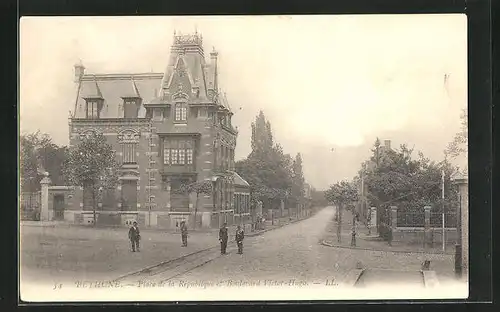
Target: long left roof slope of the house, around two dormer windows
[113,88]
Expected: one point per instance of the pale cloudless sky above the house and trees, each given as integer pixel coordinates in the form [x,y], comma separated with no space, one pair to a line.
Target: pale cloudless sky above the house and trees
[328,84]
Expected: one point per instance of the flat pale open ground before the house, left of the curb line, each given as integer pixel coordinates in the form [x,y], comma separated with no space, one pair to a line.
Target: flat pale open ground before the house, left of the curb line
[96,253]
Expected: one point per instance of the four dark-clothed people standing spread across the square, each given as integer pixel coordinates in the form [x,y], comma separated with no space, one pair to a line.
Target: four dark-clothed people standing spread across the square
[135,237]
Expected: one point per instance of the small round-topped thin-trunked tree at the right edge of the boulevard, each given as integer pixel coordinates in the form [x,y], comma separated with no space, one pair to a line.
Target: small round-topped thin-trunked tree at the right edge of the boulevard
[341,194]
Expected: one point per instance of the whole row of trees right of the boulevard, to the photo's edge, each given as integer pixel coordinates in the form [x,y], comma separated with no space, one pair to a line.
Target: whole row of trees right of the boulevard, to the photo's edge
[394,177]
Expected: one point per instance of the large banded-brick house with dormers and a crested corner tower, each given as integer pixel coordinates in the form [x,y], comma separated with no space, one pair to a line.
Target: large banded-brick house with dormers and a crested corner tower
[167,129]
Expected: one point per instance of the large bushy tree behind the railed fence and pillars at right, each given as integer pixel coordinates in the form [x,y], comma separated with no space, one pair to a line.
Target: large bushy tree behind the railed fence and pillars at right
[408,183]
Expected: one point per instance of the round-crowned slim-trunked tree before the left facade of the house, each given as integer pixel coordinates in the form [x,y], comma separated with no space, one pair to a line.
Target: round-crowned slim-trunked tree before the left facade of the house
[92,164]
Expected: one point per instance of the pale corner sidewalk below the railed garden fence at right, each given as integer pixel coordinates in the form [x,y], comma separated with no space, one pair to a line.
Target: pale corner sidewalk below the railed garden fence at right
[367,242]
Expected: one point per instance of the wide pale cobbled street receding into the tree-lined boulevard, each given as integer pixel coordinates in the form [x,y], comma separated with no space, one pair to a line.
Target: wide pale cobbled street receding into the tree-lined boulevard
[293,252]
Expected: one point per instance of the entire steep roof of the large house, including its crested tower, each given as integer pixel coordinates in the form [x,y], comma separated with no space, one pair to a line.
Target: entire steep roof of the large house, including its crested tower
[187,72]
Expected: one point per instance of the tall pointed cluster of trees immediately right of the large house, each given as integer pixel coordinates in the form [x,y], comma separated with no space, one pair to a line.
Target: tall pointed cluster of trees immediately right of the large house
[273,175]
